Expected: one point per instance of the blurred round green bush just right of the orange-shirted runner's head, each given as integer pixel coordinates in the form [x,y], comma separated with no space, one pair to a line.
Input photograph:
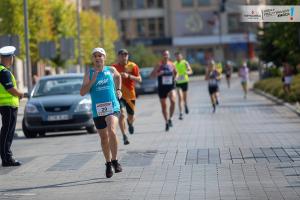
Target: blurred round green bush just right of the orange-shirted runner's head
[143,56]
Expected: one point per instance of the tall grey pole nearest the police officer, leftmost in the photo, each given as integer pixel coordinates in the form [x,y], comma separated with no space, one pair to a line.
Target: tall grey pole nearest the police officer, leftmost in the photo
[27,49]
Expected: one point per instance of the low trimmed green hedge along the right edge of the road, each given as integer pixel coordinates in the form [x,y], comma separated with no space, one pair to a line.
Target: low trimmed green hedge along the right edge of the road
[274,86]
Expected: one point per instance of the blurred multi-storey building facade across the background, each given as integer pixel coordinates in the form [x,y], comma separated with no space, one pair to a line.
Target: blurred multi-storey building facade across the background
[201,29]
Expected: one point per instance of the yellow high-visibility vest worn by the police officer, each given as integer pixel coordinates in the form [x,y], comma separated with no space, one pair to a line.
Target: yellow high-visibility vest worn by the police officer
[6,99]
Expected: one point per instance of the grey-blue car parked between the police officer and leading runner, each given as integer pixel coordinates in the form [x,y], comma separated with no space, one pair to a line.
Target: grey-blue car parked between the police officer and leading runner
[56,105]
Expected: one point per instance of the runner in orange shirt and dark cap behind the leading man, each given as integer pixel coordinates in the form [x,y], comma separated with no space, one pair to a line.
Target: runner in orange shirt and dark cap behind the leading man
[130,74]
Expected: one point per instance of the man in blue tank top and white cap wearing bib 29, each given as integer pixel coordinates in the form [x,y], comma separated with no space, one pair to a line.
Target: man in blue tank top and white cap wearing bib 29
[103,83]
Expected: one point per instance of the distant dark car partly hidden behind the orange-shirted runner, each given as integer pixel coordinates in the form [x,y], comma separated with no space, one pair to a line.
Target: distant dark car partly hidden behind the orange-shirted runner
[148,84]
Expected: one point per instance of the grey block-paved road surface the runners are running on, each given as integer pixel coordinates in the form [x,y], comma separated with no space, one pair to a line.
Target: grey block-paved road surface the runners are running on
[248,149]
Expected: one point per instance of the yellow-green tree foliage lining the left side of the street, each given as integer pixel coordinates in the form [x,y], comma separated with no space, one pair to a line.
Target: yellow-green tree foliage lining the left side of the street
[51,20]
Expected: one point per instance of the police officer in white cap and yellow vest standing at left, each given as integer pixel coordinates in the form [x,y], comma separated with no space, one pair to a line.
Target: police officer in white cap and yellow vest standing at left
[9,103]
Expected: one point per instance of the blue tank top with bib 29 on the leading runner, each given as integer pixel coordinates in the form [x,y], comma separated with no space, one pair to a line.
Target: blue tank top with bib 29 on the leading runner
[103,94]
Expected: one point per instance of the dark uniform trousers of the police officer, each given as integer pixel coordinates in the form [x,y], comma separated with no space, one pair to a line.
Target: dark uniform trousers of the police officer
[9,120]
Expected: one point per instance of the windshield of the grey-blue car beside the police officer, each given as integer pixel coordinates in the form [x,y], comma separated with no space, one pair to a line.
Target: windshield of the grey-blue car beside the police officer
[58,86]
